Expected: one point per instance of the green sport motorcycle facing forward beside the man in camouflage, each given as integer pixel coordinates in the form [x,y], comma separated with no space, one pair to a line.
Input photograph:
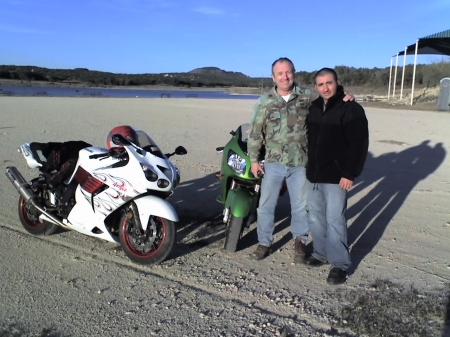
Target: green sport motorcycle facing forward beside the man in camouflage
[239,188]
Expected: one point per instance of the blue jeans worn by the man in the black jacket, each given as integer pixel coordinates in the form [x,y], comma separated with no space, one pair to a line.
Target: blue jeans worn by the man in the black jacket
[327,204]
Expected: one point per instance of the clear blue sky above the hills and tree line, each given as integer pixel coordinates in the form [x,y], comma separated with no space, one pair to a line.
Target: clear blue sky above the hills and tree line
[158,36]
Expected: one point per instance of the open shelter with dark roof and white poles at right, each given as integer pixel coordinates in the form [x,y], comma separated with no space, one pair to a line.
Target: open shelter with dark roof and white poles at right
[438,44]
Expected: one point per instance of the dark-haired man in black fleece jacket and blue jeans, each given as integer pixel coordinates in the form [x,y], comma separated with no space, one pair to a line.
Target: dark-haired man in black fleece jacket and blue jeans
[338,141]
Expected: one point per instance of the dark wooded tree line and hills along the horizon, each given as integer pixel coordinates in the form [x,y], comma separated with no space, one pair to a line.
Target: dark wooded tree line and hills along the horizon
[426,75]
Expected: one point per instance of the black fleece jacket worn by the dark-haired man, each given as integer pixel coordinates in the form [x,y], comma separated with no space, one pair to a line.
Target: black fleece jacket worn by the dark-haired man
[338,140]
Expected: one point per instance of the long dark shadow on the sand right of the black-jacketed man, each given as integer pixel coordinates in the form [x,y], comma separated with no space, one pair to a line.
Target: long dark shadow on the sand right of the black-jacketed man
[389,179]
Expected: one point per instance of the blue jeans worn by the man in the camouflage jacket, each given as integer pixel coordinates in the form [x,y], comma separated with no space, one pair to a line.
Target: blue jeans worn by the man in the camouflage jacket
[273,179]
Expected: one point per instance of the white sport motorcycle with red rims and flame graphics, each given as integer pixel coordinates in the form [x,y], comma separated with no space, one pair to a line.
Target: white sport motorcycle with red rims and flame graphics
[118,195]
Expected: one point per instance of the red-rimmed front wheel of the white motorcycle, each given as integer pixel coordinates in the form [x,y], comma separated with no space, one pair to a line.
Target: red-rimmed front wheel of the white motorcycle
[146,247]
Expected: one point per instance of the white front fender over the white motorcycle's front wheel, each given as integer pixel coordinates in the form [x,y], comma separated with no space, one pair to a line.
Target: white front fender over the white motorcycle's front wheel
[151,205]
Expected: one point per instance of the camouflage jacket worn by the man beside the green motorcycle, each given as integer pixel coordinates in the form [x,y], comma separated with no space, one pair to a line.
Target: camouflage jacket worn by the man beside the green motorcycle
[281,127]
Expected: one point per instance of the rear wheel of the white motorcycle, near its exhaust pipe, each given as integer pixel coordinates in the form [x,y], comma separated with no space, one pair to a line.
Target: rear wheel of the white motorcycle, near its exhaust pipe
[29,217]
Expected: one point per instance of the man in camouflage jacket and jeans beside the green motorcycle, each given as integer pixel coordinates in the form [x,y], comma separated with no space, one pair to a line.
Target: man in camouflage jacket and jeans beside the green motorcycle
[278,123]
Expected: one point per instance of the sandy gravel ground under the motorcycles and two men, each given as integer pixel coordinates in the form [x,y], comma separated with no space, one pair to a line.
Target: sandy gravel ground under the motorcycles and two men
[71,285]
